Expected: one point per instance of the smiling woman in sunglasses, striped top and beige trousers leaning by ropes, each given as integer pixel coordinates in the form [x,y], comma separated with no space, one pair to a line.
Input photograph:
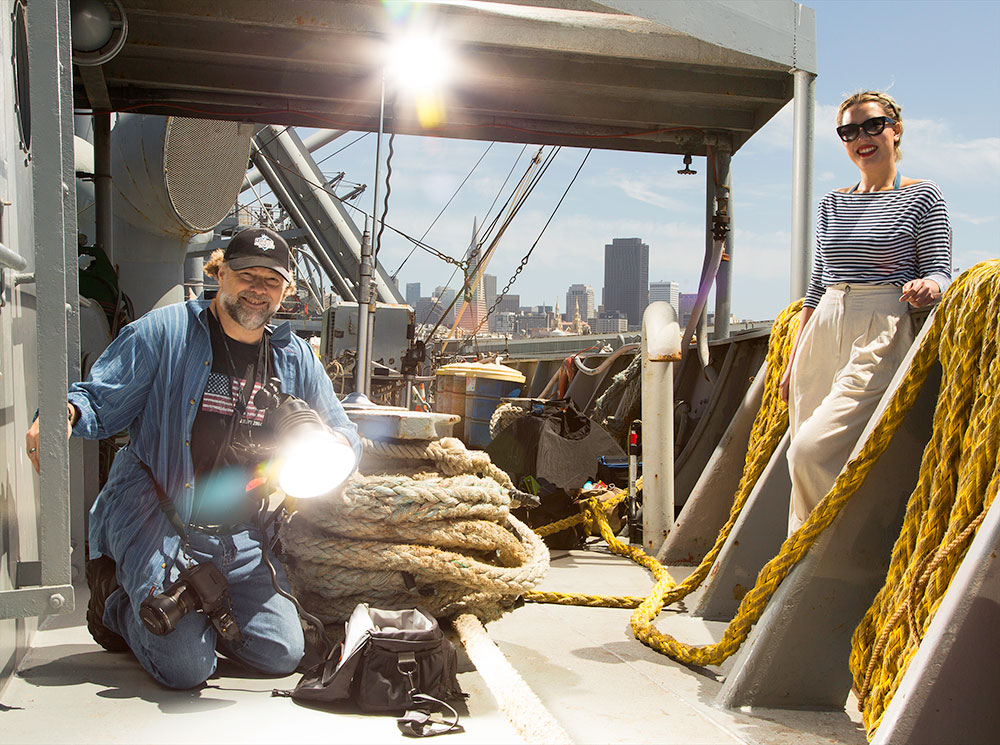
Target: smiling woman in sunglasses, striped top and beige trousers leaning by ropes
[882,246]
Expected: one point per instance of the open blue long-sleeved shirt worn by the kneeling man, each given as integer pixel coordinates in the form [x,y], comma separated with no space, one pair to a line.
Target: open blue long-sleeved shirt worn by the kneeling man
[150,380]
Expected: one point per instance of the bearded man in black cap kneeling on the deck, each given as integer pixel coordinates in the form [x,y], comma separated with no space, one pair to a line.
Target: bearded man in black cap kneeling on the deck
[182,379]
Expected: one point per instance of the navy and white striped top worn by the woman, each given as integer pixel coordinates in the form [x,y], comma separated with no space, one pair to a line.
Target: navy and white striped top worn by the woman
[881,238]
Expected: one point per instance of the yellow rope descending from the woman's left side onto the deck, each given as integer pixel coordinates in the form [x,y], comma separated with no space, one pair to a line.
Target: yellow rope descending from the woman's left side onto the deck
[768,428]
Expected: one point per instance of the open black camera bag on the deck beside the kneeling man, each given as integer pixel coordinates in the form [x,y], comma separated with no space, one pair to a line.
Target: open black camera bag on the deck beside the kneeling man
[391,661]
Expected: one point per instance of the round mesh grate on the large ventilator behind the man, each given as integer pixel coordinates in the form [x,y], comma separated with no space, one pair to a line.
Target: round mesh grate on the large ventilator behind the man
[205,162]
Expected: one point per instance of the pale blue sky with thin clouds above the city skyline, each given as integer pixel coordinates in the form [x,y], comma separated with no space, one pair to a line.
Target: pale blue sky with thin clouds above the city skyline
[940,60]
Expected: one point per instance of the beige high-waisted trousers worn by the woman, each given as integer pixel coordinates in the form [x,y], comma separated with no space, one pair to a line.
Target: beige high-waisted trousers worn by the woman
[848,354]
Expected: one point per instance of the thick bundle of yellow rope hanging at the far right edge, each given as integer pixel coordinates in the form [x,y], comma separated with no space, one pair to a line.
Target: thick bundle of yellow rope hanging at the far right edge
[959,477]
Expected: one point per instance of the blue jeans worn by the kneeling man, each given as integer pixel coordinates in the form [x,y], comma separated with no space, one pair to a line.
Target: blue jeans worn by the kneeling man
[272,640]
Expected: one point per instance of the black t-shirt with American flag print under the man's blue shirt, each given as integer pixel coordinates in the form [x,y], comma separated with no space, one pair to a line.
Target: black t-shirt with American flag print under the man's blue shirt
[221,479]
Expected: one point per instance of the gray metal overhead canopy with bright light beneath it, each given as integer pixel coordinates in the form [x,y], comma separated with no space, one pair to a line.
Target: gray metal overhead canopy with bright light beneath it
[661,75]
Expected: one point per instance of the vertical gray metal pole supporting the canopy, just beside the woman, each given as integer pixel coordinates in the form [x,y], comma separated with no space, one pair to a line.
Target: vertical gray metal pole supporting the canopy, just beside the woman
[802,169]
